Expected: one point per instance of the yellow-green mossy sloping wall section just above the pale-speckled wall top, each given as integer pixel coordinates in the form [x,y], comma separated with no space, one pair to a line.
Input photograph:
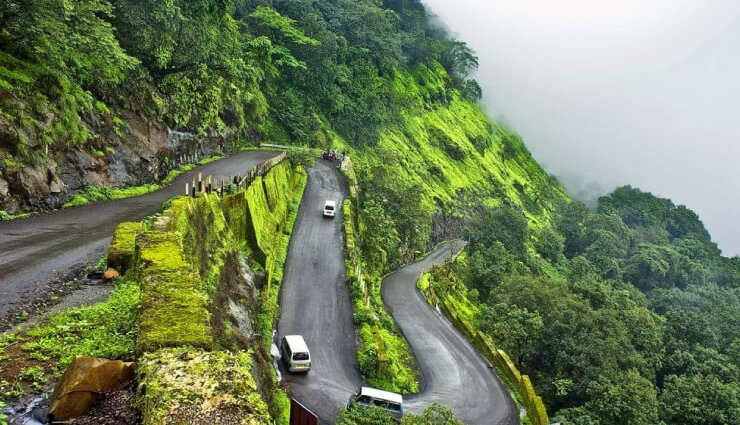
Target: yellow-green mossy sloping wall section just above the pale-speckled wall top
[174,308]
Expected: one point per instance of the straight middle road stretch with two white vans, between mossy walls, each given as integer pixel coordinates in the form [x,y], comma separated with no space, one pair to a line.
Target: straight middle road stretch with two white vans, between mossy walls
[315,301]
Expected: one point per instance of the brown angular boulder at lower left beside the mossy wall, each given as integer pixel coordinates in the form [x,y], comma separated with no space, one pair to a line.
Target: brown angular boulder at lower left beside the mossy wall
[84,381]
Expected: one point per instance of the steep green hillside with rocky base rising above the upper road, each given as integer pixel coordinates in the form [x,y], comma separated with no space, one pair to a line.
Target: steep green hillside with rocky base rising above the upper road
[117,93]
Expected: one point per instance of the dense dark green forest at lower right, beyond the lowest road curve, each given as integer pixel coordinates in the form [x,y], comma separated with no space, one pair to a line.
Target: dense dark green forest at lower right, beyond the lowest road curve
[624,315]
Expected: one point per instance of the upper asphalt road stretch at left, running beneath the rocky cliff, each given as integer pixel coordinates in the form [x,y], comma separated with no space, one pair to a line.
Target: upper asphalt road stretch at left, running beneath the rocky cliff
[44,248]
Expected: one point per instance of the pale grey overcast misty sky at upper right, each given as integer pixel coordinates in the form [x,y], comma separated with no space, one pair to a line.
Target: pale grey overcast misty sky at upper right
[613,92]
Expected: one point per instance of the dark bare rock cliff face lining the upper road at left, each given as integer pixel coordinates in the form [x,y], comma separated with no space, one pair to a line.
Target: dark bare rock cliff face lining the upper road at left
[130,151]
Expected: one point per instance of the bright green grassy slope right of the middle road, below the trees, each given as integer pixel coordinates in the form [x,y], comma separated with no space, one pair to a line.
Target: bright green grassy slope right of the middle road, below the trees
[444,156]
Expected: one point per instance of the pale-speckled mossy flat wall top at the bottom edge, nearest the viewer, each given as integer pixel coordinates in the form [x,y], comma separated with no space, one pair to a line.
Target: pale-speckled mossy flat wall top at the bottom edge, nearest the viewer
[186,386]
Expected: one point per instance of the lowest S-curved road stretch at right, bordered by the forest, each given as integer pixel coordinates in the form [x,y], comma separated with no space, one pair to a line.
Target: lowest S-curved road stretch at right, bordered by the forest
[455,374]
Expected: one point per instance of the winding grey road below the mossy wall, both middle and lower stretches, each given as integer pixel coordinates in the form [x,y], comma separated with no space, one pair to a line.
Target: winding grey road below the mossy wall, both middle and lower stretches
[315,302]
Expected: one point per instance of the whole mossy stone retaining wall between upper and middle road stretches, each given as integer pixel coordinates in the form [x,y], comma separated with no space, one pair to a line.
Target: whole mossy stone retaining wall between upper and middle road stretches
[182,266]
